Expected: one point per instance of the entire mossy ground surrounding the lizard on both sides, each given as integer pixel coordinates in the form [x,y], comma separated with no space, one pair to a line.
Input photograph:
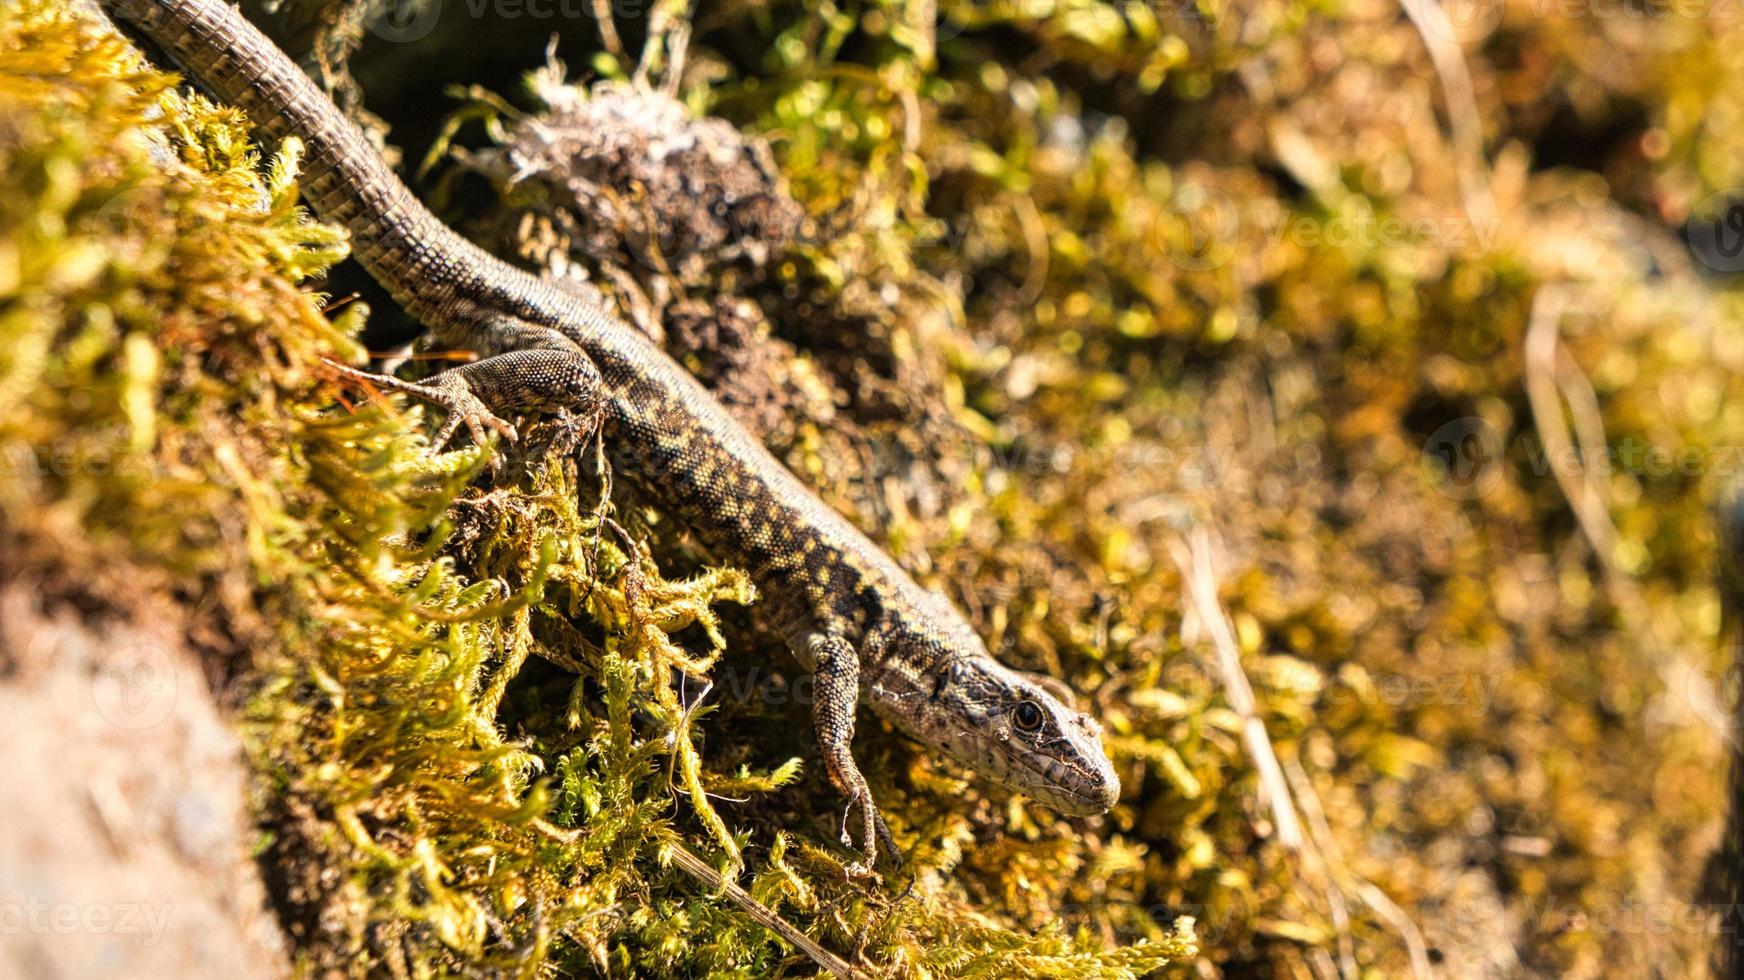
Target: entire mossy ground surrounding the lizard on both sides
[1332,393]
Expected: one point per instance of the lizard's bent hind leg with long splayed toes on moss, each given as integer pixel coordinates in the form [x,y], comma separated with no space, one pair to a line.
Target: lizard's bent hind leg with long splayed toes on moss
[538,369]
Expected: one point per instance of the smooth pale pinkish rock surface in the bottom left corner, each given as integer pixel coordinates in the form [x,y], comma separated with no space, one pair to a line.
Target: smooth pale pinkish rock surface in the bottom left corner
[125,847]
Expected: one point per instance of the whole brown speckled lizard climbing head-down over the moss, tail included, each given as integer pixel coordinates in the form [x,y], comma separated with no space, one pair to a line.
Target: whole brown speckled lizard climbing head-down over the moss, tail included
[854,618]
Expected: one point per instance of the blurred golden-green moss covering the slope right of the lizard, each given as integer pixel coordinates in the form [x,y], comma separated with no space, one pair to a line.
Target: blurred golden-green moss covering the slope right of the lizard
[1426,425]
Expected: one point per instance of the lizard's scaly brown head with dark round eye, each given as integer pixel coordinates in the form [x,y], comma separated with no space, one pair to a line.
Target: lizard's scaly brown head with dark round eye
[1014,730]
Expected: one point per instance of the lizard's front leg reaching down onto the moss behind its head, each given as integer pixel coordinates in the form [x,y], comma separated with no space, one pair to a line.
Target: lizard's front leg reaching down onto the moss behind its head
[836,684]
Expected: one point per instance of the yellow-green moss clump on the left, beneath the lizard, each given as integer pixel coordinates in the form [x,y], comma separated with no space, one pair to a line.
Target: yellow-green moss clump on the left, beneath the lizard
[426,803]
